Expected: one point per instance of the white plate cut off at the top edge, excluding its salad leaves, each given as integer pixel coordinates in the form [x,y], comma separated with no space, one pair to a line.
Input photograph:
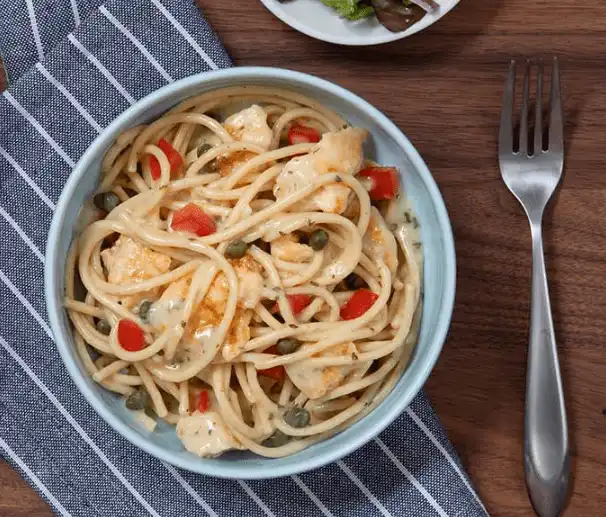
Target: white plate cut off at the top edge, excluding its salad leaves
[313,18]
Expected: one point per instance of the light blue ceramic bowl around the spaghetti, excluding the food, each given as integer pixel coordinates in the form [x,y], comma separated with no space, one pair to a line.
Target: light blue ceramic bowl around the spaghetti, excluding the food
[388,146]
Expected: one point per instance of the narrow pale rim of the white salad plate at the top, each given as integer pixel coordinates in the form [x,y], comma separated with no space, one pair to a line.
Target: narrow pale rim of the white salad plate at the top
[279,12]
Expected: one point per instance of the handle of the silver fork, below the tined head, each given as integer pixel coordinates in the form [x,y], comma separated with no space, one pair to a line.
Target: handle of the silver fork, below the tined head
[546,457]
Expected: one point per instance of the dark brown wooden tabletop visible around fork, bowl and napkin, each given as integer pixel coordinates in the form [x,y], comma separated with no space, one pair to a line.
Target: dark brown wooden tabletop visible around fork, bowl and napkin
[443,88]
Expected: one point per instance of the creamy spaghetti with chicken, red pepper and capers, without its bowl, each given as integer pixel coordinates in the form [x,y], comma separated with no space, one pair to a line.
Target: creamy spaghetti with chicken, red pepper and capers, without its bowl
[245,273]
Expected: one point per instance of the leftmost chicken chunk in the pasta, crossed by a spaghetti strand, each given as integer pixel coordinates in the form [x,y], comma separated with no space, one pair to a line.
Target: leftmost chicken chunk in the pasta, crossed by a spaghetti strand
[129,262]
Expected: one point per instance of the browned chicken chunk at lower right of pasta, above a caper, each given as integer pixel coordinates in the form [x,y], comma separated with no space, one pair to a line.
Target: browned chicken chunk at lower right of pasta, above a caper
[315,381]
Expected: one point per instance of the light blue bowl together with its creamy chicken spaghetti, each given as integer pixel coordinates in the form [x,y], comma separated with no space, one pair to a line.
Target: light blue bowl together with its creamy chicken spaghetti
[250,273]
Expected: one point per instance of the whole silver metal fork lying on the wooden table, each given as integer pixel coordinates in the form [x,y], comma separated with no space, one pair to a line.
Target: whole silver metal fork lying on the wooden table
[532,176]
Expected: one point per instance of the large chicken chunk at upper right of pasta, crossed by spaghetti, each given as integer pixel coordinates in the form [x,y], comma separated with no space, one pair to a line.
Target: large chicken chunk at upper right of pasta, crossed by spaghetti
[338,151]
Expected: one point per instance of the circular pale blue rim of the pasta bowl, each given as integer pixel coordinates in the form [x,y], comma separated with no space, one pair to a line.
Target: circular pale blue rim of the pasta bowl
[228,470]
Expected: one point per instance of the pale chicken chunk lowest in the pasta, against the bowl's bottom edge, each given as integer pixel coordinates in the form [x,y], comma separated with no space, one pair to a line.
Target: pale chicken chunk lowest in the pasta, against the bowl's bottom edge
[206,435]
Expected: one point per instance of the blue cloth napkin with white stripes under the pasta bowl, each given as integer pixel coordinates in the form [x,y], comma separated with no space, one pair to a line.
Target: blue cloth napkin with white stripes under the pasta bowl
[73,66]
